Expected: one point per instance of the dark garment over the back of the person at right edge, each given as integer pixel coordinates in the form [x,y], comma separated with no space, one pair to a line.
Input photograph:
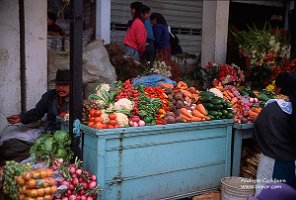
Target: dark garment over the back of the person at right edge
[272,133]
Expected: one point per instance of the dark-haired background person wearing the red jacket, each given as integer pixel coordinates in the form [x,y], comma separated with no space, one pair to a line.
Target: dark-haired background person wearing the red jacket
[136,35]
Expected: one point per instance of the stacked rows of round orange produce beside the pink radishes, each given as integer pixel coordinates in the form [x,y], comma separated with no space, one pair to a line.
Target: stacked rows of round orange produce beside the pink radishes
[37,184]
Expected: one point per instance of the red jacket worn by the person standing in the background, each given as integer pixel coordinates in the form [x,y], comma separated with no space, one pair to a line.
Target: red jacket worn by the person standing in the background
[136,36]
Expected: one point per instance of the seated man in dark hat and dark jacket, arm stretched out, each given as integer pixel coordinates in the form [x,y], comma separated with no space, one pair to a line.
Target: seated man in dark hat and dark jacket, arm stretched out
[53,103]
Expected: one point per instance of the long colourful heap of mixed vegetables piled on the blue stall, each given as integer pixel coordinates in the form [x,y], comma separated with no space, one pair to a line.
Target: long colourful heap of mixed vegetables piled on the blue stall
[168,103]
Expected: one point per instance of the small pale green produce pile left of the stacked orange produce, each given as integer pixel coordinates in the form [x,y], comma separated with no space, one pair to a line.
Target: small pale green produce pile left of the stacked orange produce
[11,171]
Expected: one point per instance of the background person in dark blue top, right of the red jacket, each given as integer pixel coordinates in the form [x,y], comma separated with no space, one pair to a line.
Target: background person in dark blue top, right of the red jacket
[162,37]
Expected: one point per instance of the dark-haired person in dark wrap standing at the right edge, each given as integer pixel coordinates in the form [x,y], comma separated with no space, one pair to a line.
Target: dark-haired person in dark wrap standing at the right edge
[274,131]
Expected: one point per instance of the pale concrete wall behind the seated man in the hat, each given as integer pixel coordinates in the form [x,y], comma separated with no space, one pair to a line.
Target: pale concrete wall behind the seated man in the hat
[35,55]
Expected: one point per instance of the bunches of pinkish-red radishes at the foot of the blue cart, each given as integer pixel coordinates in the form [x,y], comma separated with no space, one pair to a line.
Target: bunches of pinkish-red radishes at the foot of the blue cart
[80,184]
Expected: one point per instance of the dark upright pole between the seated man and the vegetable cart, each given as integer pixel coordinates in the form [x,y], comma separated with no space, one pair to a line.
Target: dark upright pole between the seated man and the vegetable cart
[76,35]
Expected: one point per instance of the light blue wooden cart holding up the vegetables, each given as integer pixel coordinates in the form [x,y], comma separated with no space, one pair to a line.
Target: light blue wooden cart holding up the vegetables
[159,162]
